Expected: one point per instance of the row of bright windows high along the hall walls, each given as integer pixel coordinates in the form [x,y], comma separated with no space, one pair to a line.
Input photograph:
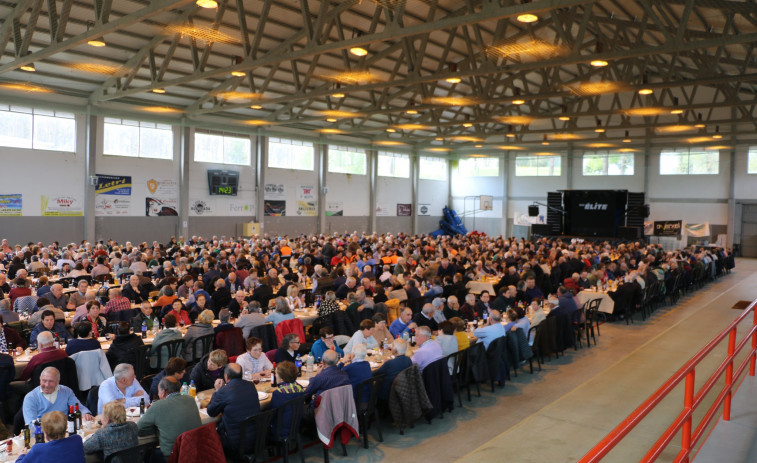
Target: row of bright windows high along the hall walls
[22,127]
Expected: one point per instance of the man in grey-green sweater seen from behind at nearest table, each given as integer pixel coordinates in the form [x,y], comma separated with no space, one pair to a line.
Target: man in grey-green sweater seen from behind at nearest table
[170,416]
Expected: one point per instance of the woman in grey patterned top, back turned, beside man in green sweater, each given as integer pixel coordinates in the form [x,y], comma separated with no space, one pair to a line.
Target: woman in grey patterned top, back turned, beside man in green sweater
[116,433]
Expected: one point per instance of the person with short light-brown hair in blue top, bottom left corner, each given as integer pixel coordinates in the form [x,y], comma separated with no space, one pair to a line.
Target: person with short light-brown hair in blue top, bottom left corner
[57,446]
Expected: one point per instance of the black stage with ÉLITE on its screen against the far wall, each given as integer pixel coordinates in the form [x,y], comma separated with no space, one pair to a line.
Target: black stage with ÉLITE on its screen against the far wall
[593,213]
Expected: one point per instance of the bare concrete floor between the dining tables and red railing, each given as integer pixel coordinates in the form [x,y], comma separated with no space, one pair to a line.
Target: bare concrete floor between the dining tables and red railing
[558,414]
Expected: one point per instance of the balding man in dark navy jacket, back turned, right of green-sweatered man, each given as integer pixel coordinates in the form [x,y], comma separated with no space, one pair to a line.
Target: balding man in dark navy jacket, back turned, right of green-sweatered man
[235,400]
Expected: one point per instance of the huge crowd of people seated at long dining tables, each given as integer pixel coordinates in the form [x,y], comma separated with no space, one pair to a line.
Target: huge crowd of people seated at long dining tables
[263,280]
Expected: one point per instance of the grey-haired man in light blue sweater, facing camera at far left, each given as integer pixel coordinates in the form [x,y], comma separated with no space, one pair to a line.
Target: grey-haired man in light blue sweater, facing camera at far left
[50,396]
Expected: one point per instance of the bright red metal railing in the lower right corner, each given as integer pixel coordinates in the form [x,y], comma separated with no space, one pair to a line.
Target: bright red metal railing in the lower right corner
[691,400]
